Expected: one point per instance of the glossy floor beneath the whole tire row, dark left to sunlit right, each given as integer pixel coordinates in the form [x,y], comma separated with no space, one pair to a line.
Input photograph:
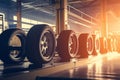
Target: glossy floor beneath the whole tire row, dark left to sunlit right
[102,67]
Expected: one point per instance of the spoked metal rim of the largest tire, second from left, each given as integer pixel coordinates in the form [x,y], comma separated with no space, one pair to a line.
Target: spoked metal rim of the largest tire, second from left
[45,45]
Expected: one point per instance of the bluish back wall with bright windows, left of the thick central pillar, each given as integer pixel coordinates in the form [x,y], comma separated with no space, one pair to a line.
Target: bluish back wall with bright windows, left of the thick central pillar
[29,16]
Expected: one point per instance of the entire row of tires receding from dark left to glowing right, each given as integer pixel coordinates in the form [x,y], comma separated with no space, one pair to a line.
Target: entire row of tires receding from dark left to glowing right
[40,44]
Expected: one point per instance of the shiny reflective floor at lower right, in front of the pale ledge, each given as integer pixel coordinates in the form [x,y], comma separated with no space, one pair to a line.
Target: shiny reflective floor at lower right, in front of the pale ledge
[103,67]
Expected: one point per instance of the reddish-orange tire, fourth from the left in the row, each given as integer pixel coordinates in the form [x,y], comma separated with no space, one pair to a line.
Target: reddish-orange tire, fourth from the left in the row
[85,45]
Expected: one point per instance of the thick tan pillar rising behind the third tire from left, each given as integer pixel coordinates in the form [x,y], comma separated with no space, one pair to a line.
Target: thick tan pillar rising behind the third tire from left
[61,15]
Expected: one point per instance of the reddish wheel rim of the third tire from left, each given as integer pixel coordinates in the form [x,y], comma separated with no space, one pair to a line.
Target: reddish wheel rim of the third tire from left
[72,45]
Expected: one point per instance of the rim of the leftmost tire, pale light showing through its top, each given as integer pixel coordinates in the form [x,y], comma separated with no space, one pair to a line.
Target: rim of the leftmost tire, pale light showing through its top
[15,47]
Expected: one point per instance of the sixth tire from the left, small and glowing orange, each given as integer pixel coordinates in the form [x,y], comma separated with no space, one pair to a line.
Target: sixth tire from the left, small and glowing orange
[103,45]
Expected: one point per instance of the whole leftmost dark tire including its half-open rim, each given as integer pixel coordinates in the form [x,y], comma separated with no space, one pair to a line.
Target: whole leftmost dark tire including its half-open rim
[7,50]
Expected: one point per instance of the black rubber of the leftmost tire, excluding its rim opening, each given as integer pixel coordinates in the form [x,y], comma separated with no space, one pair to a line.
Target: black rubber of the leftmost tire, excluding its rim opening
[6,36]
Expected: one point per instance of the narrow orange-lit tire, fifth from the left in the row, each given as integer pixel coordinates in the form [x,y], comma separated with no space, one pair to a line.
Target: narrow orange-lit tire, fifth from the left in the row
[96,43]
